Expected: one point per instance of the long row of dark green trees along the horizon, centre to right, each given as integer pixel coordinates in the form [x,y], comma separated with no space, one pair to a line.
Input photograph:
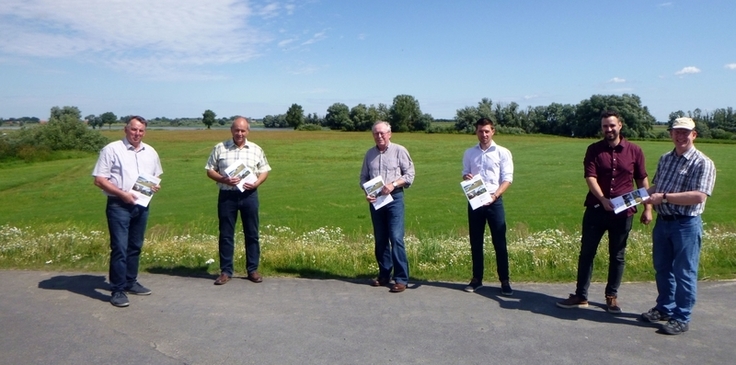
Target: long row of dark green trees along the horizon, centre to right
[579,120]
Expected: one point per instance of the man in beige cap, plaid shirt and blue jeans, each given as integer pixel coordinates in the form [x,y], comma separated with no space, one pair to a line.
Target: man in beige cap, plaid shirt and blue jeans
[684,180]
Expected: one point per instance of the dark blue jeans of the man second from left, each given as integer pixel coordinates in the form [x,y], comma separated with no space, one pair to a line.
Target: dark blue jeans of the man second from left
[229,203]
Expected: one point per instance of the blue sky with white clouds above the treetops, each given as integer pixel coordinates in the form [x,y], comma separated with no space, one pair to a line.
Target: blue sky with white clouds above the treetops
[176,58]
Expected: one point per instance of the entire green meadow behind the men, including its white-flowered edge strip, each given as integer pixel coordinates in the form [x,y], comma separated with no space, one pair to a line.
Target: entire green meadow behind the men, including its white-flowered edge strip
[315,221]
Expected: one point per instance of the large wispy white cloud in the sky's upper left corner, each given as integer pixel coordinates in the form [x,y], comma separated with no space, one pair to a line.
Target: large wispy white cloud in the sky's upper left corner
[139,36]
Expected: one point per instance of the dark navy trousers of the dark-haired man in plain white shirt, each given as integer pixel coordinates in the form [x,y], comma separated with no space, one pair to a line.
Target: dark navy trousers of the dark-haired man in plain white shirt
[495,216]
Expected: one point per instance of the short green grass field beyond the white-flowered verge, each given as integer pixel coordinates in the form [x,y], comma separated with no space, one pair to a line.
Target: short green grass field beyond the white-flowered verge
[314,183]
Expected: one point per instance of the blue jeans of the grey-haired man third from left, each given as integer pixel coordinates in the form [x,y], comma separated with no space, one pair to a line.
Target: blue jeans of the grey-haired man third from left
[388,231]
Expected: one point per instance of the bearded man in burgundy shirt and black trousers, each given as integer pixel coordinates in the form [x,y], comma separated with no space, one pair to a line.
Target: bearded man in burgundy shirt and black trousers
[612,165]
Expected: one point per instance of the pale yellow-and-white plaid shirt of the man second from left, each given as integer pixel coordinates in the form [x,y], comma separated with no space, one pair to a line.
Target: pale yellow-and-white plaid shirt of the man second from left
[226,153]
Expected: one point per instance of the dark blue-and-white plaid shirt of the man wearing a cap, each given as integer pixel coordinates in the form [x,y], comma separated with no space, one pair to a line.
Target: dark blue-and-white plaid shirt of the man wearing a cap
[693,171]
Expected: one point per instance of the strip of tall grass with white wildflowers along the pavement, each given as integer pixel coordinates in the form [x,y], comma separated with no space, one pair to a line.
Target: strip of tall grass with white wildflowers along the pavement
[328,252]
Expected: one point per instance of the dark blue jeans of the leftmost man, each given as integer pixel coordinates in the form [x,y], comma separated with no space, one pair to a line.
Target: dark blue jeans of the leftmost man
[127,226]
